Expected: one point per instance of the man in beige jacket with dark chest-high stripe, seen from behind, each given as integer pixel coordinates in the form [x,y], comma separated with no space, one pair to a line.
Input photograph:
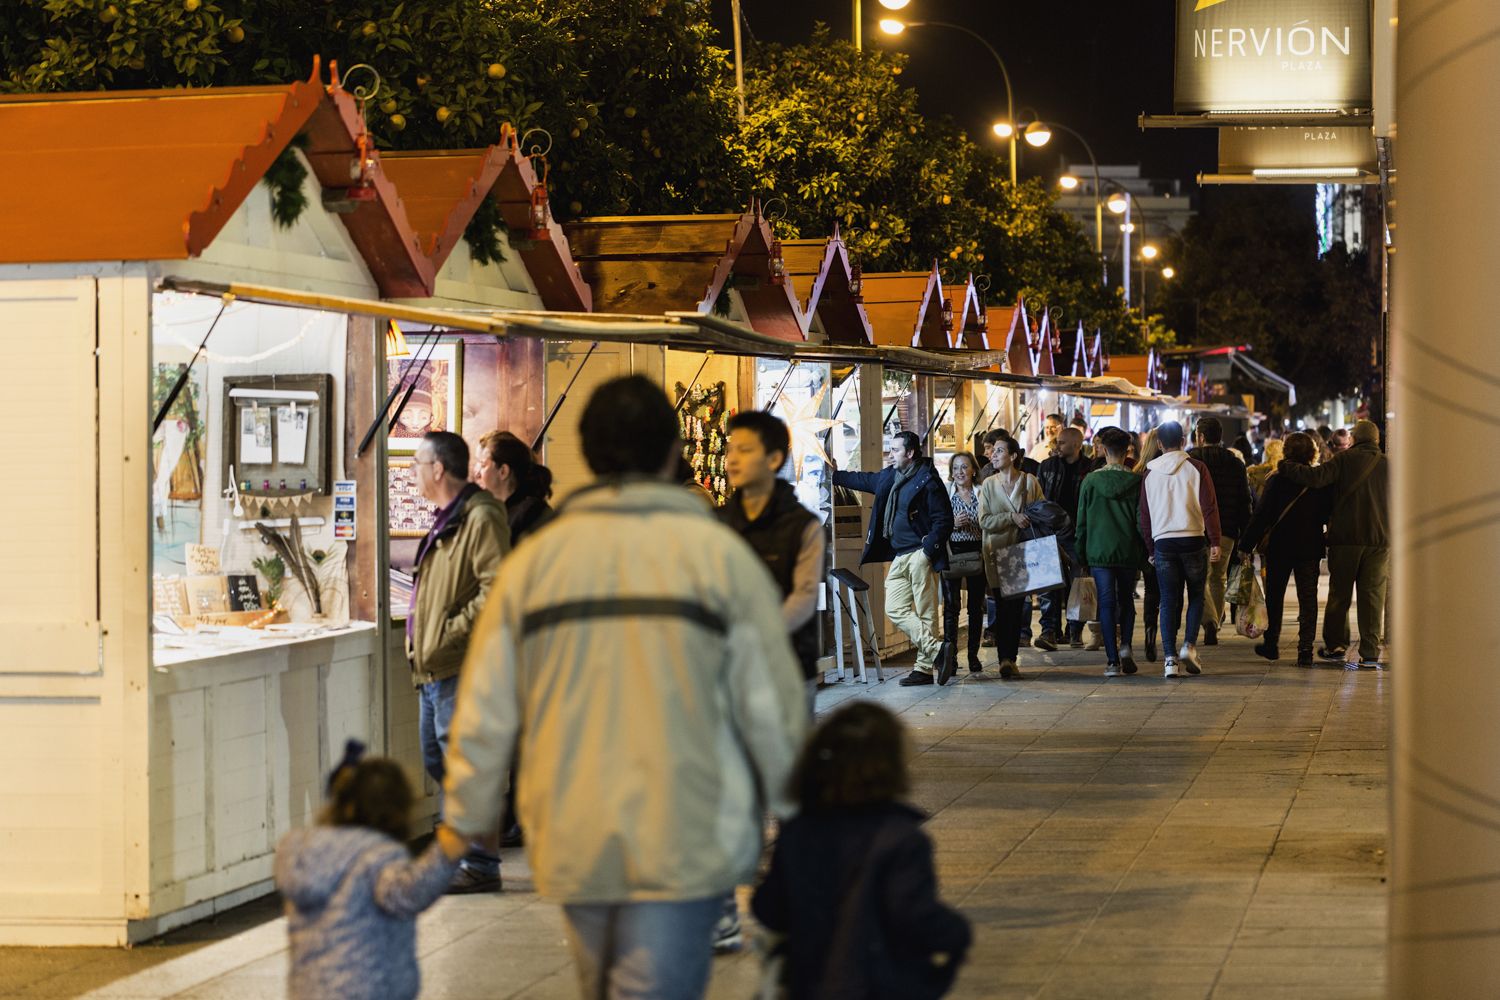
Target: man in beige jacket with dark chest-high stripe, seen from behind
[637,650]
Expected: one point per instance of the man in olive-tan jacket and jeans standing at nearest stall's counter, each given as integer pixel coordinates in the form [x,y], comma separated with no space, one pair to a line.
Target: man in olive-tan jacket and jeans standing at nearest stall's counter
[457,563]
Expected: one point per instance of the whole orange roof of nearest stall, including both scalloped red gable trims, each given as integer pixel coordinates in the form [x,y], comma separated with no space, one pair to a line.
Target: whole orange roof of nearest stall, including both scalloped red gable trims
[157,175]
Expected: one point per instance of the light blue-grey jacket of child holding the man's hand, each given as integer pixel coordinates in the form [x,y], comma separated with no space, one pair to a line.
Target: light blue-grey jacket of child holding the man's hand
[353,897]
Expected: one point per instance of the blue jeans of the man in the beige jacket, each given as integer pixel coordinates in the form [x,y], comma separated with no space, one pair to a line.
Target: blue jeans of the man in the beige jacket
[643,951]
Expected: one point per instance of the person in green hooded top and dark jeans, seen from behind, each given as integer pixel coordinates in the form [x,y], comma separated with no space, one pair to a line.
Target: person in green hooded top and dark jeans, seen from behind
[1109,543]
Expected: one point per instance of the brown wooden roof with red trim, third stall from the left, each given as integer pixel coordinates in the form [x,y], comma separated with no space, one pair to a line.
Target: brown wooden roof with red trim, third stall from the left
[655,265]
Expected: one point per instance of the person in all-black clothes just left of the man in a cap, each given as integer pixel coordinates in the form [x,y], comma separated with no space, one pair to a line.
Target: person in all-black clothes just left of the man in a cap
[1291,521]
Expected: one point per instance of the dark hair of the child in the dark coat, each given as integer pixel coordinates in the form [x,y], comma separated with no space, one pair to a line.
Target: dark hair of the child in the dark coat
[856,758]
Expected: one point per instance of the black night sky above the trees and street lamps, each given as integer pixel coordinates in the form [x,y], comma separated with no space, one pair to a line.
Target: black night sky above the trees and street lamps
[1091,67]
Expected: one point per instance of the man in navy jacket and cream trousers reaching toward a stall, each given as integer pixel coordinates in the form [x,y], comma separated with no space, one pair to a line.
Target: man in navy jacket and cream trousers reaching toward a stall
[910,528]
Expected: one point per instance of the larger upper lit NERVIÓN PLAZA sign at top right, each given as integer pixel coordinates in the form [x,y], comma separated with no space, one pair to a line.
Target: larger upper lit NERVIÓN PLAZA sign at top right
[1237,56]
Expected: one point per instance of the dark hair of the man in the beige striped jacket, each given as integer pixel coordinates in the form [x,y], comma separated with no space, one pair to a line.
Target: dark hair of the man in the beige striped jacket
[629,428]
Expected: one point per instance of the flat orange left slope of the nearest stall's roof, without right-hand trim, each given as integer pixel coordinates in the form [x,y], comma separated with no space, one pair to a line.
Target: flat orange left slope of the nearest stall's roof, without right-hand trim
[142,175]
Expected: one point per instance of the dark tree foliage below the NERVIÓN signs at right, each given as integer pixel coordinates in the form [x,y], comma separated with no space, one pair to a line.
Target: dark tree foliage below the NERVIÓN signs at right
[1250,275]
